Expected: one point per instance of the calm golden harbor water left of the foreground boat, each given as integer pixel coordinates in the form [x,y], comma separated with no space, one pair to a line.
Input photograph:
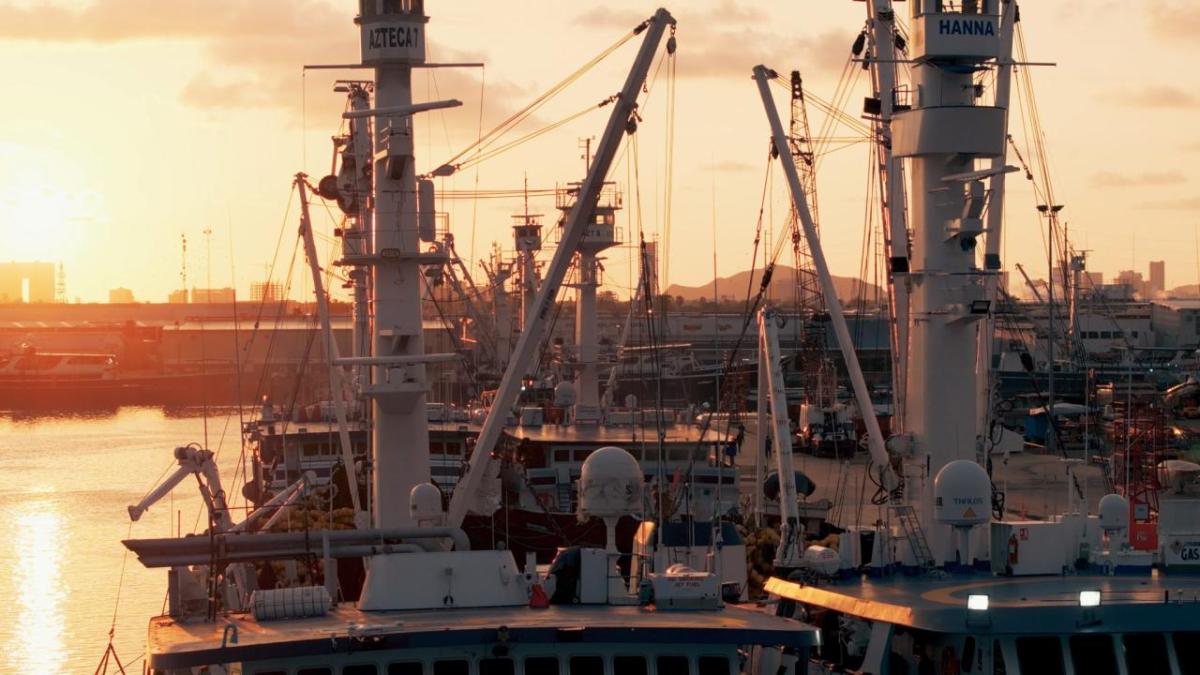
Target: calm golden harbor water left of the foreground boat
[65,482]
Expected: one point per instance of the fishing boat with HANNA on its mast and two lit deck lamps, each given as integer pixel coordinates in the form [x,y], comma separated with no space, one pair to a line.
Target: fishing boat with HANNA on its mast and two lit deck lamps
[946,580]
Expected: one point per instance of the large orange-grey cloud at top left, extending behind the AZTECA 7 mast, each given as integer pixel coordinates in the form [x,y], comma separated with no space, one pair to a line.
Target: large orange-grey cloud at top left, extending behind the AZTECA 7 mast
[256,50]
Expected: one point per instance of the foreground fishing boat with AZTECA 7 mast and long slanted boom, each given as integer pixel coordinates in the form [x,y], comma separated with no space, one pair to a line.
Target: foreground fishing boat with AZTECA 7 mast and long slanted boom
[430,602]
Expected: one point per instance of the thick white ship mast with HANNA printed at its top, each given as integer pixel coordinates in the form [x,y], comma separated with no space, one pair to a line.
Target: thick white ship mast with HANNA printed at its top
[949,130]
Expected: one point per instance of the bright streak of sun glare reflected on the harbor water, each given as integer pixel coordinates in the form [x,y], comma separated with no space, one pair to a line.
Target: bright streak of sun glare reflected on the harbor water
[39,549]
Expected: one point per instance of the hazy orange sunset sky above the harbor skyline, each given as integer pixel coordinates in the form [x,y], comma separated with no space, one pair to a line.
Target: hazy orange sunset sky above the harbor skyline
[129,123]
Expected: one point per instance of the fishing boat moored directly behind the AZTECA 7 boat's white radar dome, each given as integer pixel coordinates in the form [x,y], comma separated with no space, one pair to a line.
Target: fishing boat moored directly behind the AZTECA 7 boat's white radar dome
[539,487]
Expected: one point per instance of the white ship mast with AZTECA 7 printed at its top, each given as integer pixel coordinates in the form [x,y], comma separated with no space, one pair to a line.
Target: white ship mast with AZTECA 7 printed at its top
[393,35]
